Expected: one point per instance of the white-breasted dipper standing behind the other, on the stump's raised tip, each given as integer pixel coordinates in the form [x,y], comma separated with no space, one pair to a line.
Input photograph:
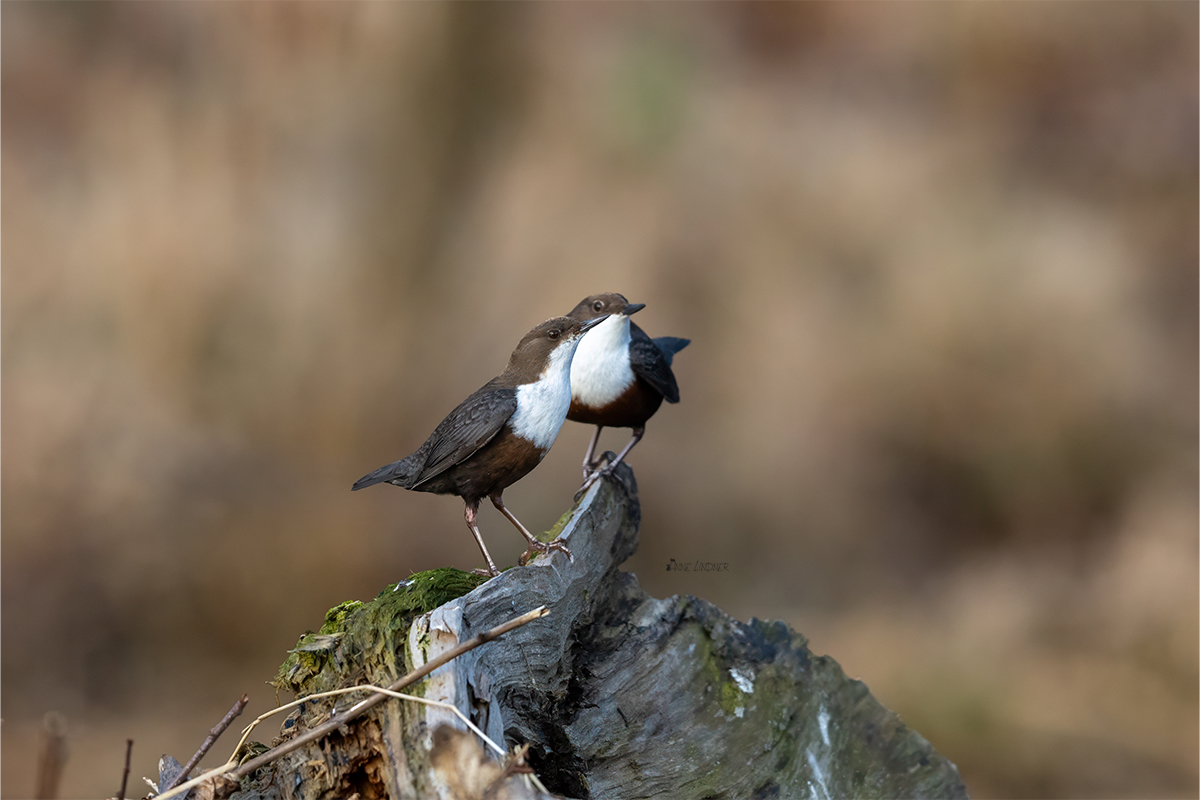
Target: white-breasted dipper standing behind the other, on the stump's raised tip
[620,376]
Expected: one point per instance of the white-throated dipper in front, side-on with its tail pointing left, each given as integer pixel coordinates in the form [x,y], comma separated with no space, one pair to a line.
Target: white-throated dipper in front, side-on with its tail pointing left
[500,434]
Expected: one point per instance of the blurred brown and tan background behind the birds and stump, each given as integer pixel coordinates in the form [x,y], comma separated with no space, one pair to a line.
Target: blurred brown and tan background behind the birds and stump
[938,262]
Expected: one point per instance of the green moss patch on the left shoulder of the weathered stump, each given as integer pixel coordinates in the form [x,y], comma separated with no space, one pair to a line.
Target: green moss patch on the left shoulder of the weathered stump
[369,639]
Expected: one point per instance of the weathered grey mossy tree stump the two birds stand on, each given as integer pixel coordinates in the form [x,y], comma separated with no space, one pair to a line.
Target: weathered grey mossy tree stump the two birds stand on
[619,695]
